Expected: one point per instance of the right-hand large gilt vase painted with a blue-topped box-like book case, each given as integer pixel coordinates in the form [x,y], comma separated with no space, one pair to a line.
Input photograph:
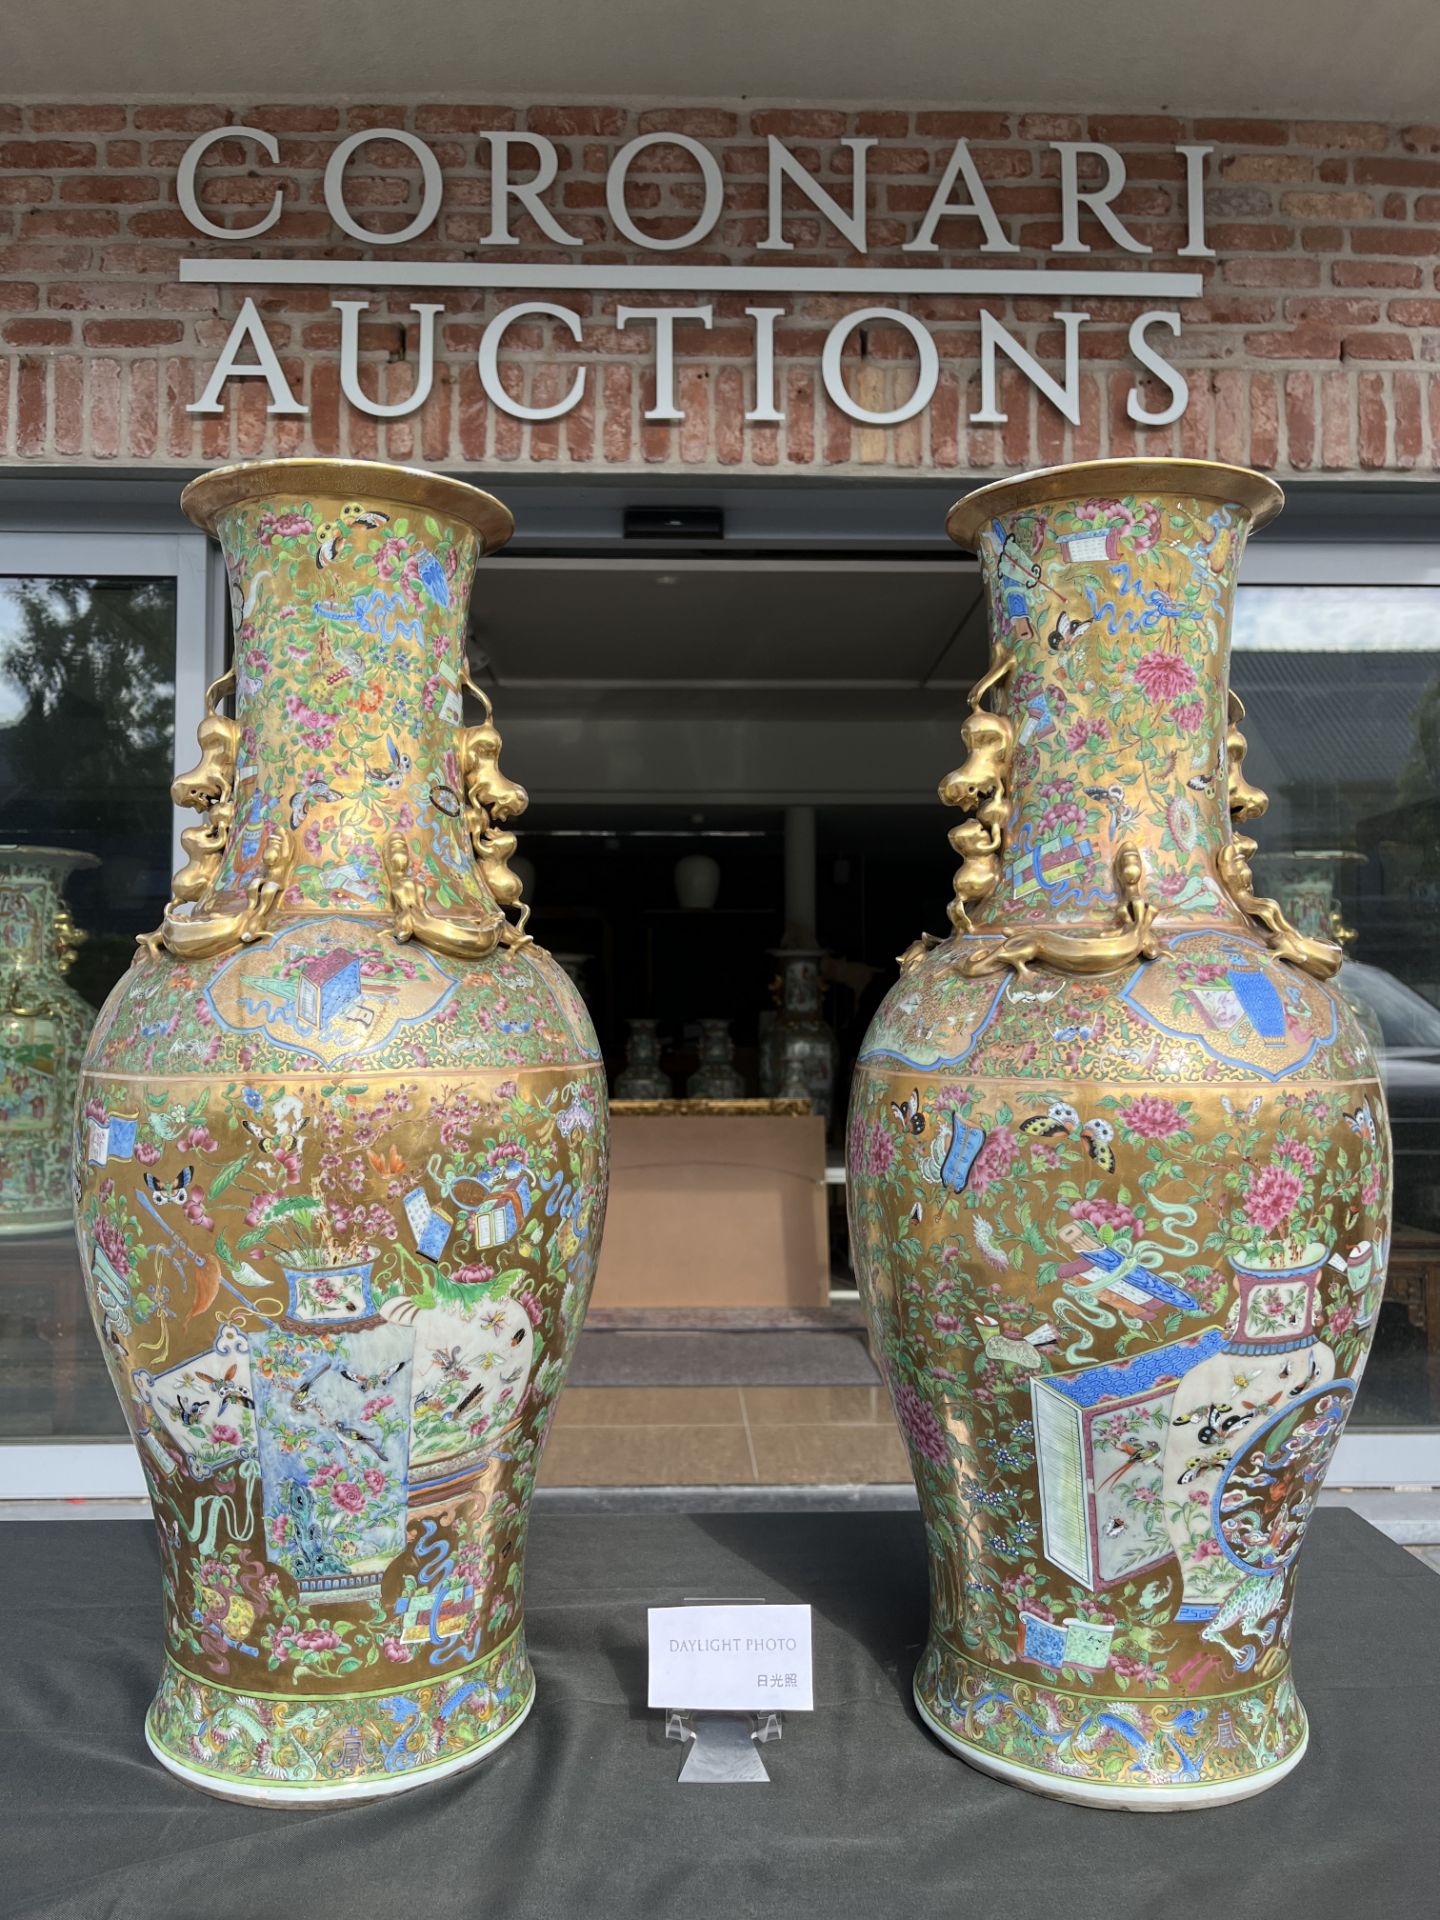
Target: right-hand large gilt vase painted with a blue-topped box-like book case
[1120,1174]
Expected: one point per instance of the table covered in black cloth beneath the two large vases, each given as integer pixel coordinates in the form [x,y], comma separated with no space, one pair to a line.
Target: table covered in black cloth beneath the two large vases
[581,1815]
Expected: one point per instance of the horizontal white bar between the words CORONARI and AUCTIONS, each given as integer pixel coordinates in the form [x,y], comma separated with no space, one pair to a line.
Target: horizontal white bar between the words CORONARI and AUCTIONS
[583,279]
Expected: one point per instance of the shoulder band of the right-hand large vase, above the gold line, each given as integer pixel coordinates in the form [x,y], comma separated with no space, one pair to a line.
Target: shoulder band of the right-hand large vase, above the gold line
[1211,1007]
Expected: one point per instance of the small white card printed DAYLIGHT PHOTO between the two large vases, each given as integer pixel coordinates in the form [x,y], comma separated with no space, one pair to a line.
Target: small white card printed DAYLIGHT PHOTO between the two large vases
[732,1660]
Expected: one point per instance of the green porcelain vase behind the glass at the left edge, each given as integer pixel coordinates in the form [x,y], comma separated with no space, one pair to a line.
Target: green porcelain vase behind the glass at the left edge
[43,1032]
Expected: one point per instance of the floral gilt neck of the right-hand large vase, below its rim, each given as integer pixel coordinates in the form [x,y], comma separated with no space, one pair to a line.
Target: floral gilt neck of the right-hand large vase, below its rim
[1116,615]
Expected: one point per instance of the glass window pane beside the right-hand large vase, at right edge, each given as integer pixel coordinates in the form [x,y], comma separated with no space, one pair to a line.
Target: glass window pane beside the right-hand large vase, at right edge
[1343,717]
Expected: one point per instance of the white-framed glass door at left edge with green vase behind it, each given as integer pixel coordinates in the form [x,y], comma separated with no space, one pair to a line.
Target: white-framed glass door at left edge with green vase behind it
[103,669]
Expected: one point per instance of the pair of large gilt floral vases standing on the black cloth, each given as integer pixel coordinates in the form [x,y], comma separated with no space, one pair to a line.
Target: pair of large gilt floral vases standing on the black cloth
[1118,1172]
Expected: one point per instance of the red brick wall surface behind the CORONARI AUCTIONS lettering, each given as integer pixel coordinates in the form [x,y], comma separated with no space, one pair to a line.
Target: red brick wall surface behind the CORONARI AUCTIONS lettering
[1316,348]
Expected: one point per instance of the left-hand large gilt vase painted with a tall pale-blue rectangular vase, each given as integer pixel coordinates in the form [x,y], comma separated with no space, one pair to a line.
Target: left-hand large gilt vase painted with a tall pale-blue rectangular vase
[341,1166]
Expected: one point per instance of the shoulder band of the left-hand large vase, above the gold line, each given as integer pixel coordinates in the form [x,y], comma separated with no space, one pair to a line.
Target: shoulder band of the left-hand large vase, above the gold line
[339,992]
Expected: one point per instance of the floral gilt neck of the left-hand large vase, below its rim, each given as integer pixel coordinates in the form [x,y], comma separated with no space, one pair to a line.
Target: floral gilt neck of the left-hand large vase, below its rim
[348,658]
